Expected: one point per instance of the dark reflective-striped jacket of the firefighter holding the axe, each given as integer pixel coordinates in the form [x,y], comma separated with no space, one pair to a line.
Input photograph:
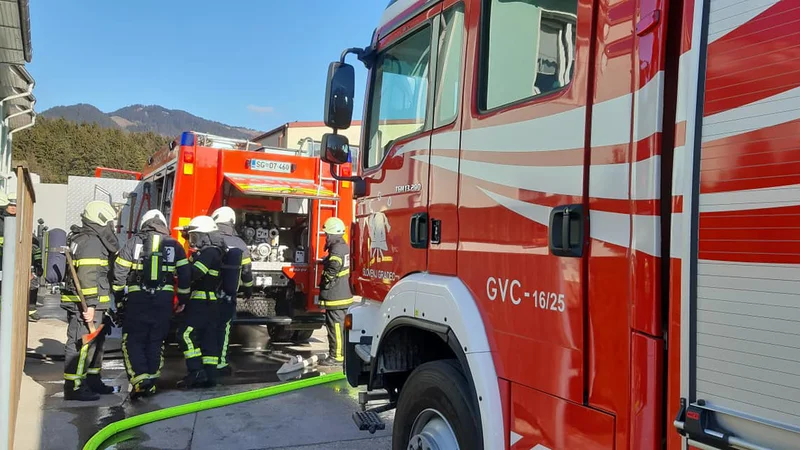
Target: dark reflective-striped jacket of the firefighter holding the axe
[93,249]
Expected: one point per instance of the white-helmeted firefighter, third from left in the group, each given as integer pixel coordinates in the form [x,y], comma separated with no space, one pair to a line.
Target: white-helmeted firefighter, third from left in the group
[198,334]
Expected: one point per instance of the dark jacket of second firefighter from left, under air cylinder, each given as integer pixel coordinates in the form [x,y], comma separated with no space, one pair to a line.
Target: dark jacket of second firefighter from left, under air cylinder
[128,268]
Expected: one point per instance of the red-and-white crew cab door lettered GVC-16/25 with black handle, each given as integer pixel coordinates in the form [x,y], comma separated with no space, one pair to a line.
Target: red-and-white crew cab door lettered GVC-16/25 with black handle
[521,201]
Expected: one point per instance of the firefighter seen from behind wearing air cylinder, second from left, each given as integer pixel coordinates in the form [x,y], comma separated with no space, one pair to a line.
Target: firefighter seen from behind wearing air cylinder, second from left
[153,267]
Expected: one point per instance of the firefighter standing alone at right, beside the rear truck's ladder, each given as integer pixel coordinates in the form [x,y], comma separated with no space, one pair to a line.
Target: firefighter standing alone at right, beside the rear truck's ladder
[335,295]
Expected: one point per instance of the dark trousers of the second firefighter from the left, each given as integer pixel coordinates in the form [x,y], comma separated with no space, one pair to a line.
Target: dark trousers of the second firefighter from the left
[145,328]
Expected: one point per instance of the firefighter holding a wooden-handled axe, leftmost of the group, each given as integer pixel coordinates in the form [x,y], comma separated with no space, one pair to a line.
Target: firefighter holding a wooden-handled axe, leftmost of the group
[93,245]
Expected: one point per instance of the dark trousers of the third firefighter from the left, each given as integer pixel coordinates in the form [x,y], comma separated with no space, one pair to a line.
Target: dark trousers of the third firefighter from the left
[198,337]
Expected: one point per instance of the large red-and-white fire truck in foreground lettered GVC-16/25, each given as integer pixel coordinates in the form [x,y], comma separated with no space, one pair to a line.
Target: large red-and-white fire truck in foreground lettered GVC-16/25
[577,223]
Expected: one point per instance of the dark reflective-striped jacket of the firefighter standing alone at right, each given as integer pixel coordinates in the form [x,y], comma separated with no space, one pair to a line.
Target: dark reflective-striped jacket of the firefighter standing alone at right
[335,284]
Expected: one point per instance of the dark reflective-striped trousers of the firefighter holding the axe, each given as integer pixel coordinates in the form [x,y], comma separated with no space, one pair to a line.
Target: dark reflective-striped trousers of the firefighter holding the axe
[82,359]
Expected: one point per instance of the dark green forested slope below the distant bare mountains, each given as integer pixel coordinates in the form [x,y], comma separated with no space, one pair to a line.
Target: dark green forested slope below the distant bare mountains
[57,148]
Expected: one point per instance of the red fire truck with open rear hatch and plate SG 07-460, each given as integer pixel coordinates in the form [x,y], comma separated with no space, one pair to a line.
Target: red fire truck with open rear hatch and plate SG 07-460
[281,197]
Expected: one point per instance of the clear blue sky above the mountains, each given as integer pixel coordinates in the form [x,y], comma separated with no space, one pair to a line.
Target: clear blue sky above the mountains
[253,63]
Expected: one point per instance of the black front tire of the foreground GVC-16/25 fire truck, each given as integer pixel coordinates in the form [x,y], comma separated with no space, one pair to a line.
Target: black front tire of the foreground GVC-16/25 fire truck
[441,386]
